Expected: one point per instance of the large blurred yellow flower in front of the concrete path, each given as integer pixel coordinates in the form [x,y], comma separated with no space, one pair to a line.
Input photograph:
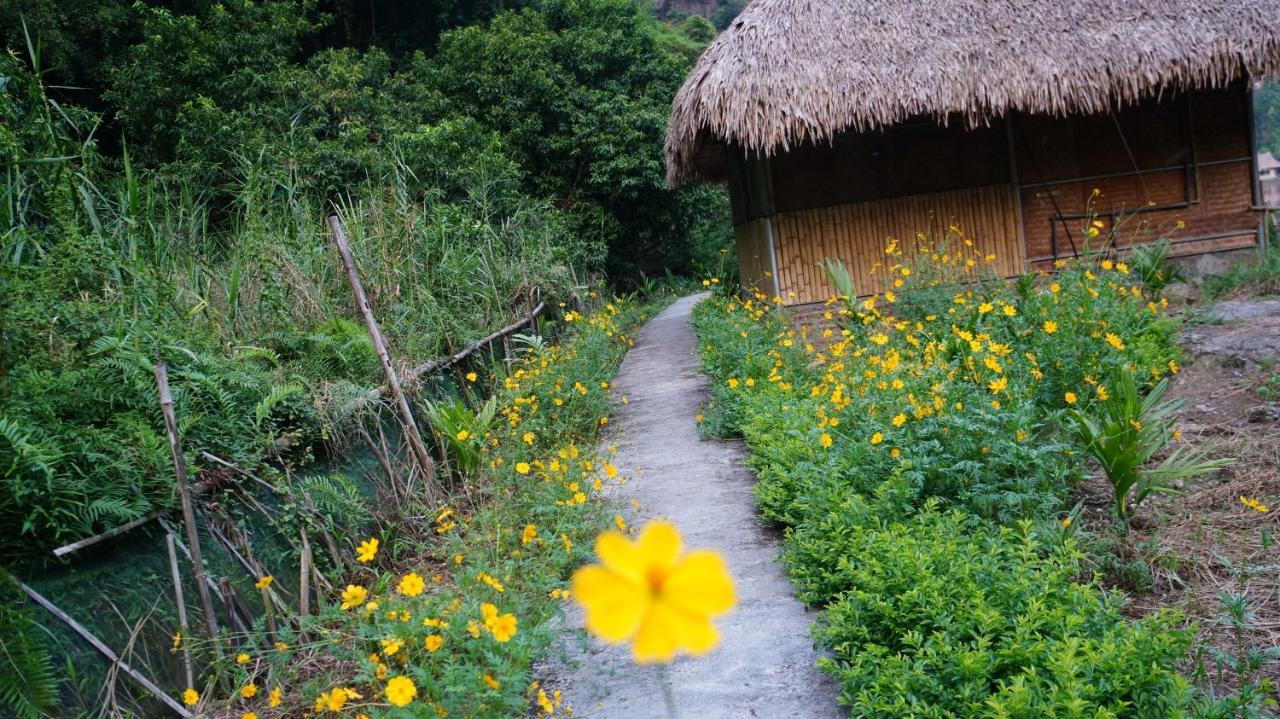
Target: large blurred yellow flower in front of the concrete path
[652,594]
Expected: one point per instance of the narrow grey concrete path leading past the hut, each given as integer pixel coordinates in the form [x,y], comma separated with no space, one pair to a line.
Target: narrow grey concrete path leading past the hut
[765,666]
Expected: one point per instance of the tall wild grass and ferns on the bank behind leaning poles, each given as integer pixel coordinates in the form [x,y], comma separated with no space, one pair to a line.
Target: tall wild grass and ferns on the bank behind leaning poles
[107,269]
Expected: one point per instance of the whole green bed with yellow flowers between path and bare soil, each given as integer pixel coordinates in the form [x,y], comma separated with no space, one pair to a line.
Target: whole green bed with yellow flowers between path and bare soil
[920,455]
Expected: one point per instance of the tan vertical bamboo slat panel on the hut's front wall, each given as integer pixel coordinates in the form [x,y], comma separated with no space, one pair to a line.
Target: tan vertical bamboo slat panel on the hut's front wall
[857,233]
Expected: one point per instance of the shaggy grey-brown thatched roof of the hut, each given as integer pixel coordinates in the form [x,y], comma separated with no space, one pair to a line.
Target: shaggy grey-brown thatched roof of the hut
[789,72]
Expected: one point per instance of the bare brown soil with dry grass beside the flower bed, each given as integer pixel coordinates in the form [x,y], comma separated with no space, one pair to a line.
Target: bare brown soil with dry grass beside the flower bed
[1204,543]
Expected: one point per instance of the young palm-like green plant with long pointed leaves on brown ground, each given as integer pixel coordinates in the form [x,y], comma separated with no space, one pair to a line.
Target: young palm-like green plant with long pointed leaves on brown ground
[1127,432]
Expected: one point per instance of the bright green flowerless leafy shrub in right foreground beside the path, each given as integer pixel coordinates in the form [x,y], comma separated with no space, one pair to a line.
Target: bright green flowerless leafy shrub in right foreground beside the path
[947,617]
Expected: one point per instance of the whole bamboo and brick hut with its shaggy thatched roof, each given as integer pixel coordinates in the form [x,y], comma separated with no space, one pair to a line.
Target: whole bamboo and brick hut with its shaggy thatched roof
[839,125]
